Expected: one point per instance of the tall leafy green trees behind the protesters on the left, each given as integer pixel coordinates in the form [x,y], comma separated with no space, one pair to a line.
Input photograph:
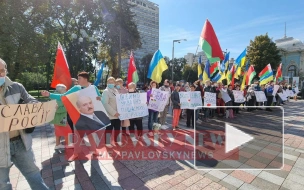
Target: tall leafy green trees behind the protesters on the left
[31,29]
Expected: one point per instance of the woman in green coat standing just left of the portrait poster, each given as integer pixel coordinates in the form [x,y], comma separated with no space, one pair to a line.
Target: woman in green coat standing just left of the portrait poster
[60,120]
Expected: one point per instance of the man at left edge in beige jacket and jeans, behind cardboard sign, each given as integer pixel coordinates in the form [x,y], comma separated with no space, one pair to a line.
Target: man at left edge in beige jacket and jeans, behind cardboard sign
[16,146]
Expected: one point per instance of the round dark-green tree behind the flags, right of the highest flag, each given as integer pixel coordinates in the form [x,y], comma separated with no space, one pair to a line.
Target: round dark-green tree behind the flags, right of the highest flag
[263,51]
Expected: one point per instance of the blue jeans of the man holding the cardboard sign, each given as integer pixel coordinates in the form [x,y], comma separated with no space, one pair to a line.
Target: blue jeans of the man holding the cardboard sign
[24,161]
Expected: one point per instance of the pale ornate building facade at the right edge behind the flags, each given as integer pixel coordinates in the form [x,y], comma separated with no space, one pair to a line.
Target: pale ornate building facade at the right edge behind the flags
[292,54]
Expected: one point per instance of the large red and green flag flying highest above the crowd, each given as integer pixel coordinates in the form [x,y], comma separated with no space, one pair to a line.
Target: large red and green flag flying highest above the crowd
[208,42]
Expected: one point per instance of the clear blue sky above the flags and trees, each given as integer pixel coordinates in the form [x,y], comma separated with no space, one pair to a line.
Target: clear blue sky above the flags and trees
[235,22]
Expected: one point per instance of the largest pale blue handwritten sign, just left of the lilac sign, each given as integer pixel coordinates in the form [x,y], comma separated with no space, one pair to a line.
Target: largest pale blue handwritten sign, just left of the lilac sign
[132,105]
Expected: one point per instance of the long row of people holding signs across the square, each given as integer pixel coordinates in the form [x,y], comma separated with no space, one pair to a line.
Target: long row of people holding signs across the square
[19,151]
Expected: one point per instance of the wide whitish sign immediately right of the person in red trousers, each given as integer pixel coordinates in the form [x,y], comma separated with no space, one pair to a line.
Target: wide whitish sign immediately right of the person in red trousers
[190,100]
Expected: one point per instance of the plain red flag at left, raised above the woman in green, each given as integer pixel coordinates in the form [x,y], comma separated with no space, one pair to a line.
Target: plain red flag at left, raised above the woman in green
[61,70]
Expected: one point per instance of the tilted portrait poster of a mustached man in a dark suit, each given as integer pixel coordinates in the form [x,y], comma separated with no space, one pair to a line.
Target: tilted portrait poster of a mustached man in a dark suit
[86,110]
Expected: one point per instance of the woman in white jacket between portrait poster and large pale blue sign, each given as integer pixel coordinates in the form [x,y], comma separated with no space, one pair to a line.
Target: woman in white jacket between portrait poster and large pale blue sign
[110,105]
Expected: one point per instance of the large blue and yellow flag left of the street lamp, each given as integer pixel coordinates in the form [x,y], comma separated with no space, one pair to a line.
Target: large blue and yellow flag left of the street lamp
[157,67]
